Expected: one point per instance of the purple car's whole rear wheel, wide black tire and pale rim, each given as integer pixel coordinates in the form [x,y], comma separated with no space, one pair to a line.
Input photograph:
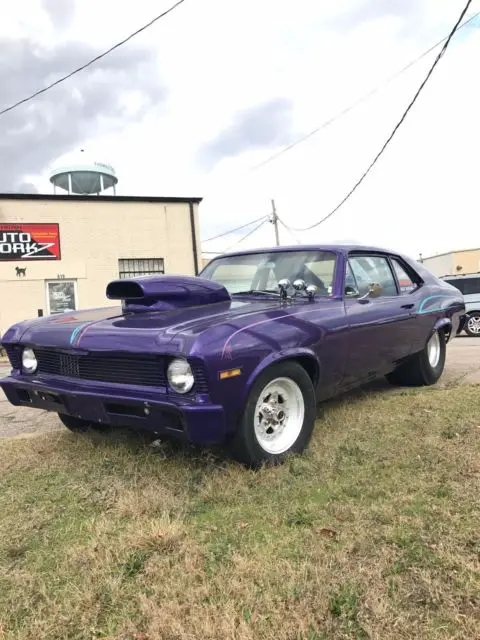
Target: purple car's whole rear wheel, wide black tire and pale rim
[424,368]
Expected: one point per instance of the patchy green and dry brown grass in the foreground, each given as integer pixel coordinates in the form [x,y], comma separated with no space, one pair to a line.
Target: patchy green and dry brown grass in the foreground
[373,534]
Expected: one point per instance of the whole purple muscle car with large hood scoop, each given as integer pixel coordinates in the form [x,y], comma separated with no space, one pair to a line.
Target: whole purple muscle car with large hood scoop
[242,353]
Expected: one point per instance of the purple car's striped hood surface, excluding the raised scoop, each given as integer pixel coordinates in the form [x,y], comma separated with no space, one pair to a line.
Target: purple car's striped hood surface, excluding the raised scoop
[113,328]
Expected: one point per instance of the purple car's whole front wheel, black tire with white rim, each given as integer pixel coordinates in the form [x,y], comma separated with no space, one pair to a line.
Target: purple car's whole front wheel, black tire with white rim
[279,416]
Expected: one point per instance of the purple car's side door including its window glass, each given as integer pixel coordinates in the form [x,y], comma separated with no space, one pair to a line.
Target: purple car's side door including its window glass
[379,325]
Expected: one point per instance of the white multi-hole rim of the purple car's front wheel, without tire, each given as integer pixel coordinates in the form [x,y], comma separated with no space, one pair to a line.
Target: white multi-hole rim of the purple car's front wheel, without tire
[279,415]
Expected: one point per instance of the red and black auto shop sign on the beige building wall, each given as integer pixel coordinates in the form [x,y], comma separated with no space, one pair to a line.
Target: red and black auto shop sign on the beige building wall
[20,241]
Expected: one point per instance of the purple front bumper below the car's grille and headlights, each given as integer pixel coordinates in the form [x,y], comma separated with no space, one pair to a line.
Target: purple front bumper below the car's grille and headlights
[193,419]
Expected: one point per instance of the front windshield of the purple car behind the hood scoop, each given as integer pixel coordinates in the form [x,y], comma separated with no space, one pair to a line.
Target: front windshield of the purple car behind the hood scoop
[261,272]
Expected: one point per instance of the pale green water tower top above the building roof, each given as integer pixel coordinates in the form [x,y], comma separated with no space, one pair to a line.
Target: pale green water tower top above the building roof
[79,176]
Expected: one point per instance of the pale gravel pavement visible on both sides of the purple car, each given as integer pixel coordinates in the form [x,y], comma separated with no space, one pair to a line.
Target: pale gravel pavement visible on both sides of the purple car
[463,367]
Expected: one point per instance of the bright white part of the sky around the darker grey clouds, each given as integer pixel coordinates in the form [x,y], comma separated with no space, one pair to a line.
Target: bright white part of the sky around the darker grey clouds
[217,59]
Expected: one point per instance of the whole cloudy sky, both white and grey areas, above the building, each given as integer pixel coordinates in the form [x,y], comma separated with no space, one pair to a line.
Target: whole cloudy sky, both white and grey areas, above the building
[196,105]
